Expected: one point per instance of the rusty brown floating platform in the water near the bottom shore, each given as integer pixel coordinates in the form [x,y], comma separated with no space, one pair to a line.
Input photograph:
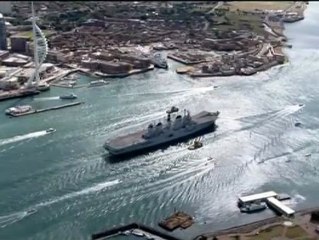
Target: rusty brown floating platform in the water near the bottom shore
[178,219]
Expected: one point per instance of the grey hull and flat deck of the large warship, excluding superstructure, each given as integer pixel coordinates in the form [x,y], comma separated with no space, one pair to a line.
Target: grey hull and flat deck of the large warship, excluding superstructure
[133,144]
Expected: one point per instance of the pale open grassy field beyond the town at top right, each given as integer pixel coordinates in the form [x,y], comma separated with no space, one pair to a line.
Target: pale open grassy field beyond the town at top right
[262,5]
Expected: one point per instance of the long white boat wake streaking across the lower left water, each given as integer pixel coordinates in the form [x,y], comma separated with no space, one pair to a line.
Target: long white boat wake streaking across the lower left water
[15,217]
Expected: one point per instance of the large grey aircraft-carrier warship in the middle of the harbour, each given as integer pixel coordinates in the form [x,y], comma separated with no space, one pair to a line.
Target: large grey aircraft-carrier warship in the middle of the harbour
[175,128]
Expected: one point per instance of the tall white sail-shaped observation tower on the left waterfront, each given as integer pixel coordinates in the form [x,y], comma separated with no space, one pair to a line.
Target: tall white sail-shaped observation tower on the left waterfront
[40,46]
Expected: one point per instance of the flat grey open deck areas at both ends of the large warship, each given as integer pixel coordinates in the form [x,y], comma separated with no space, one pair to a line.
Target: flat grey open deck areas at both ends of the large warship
[136,138]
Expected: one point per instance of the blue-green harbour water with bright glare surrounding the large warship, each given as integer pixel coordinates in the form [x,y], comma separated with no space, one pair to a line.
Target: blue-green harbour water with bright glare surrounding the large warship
[63,185]
